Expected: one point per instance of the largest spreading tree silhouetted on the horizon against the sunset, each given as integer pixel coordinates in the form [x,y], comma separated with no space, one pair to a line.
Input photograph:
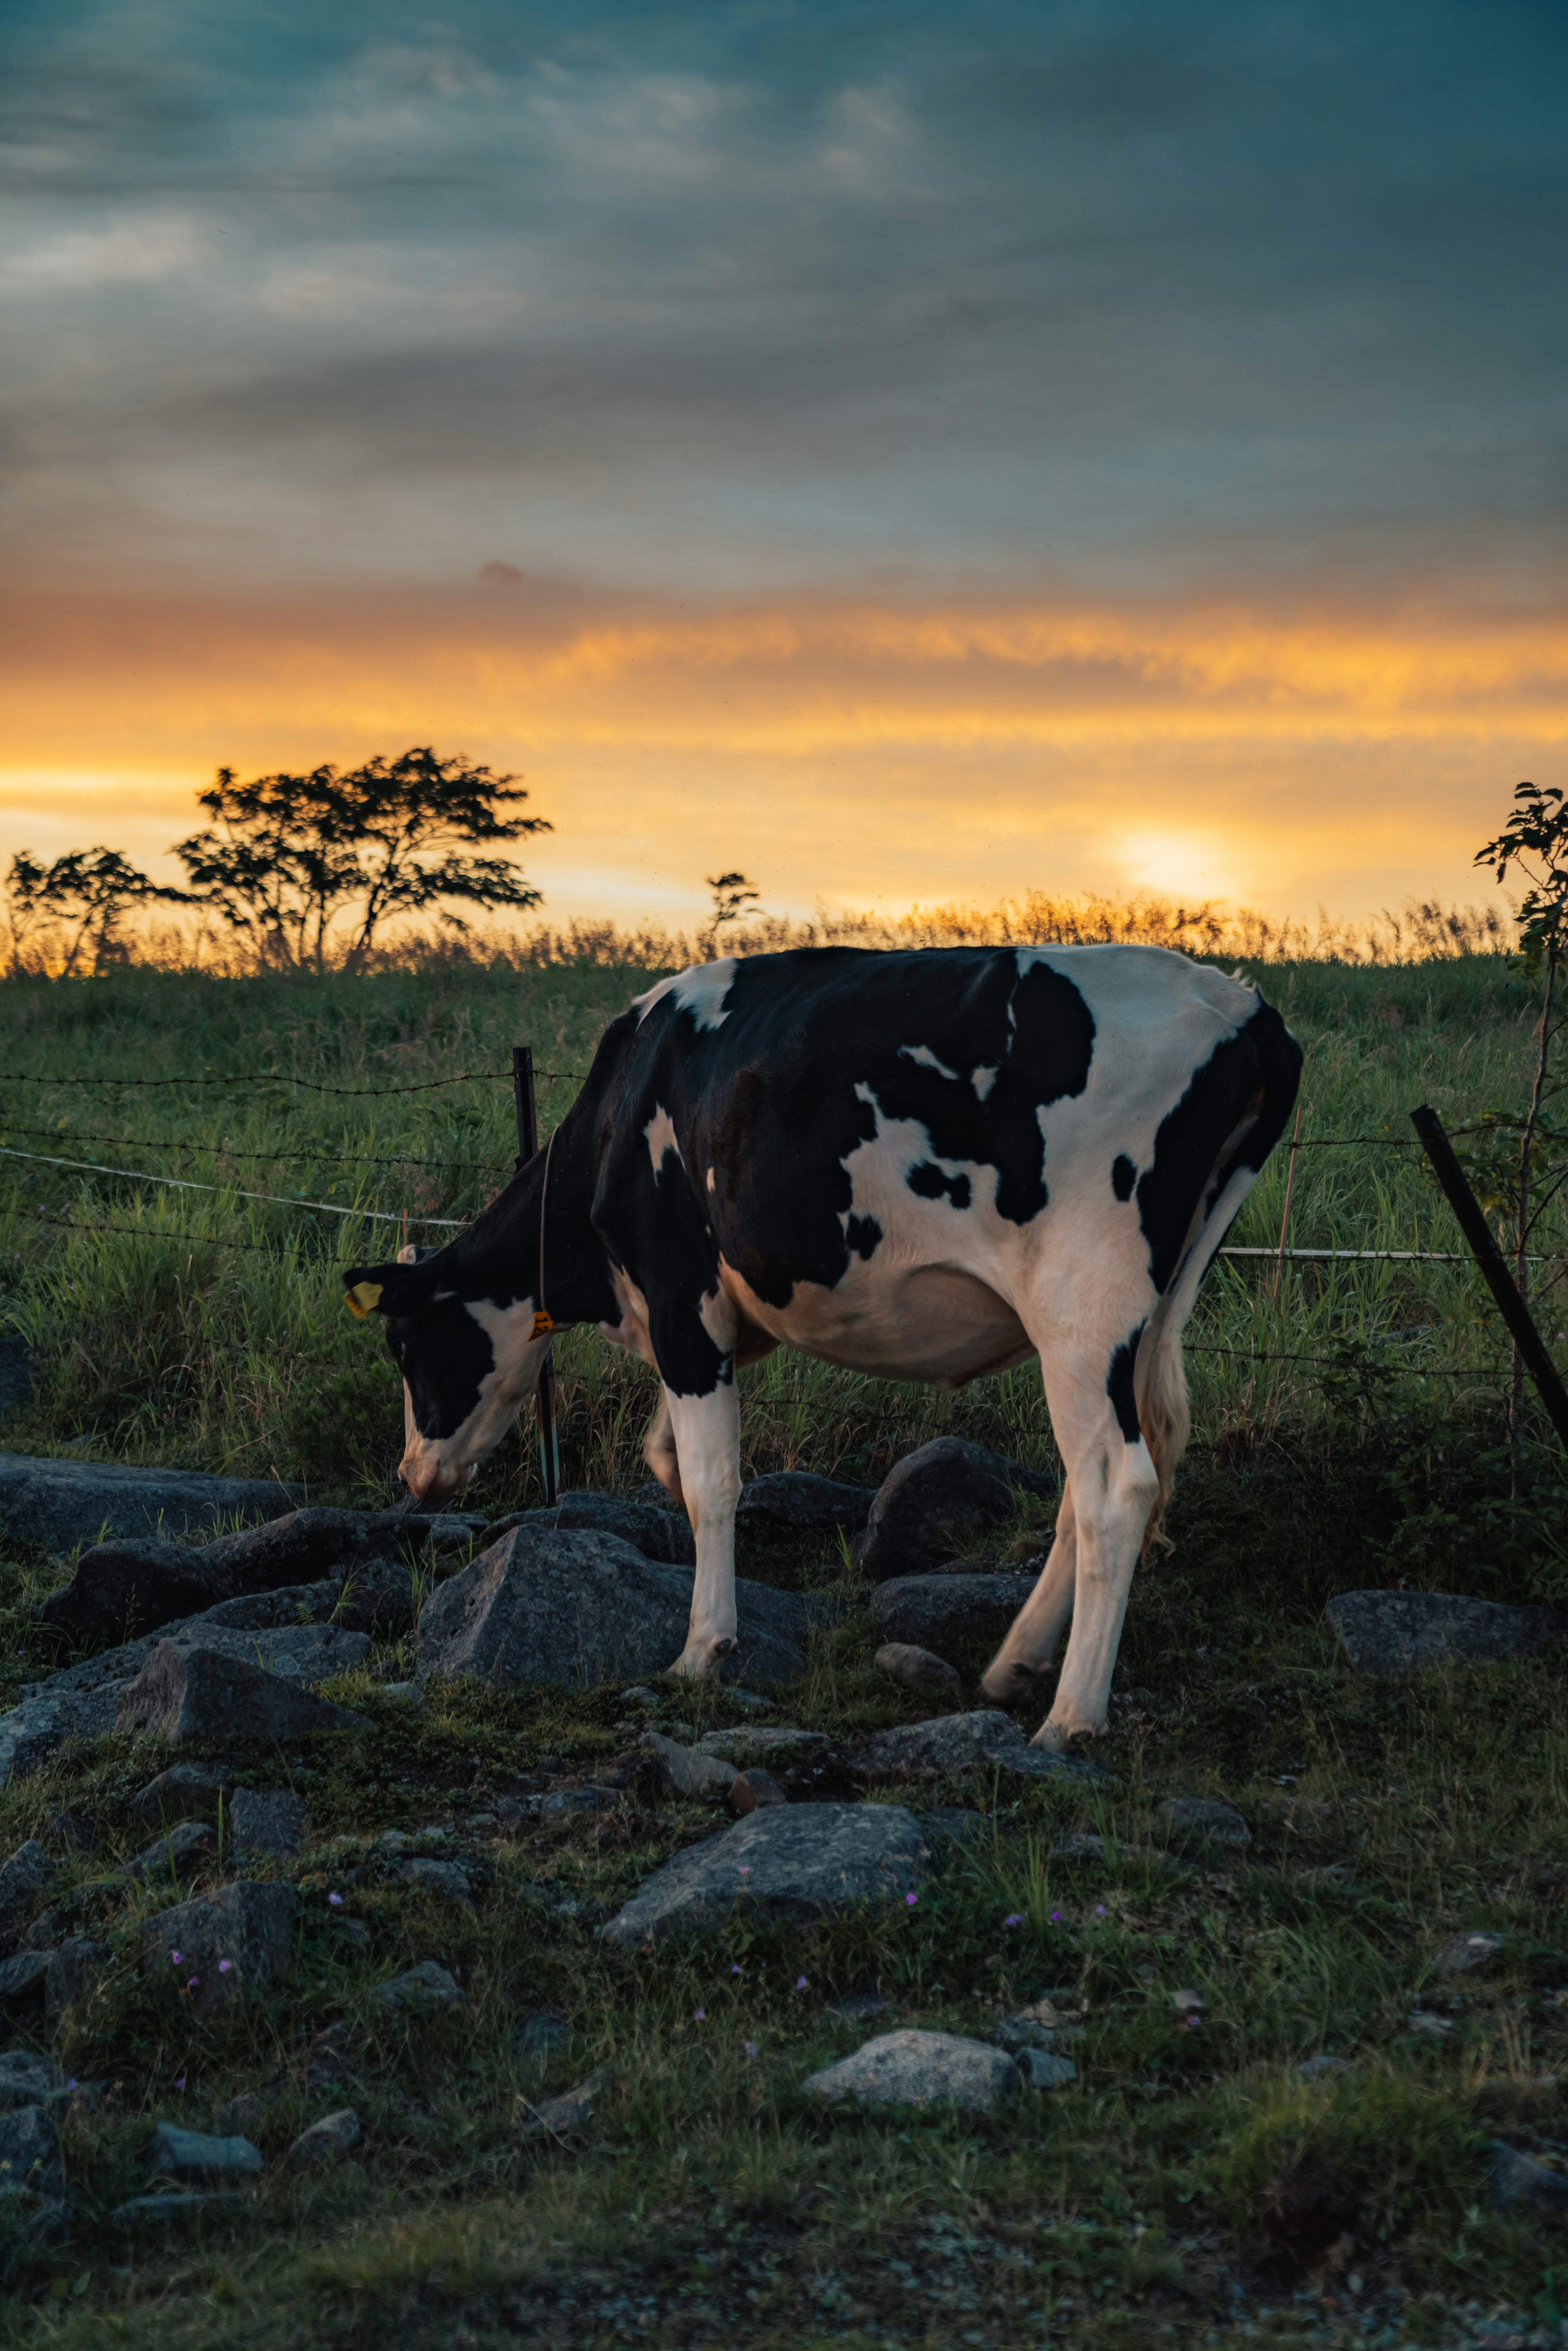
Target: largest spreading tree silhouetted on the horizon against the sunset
[288,855]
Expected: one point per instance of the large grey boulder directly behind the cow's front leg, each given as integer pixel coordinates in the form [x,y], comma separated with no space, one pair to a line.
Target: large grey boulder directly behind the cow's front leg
[584,1609]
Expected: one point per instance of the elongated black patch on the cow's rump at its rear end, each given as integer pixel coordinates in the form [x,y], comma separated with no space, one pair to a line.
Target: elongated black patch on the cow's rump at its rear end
[1254,1073]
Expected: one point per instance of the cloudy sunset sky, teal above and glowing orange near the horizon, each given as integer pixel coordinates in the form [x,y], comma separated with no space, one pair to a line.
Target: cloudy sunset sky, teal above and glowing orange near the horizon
[906,453]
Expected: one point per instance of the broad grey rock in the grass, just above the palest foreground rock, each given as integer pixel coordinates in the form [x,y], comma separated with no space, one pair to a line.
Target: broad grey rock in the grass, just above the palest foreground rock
[791,1863]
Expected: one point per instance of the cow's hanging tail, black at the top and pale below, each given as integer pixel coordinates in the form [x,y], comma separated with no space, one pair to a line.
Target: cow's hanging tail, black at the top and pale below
[1160,1374]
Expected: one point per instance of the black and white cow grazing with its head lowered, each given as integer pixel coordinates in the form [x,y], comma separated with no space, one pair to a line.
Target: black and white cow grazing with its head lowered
[925,1165]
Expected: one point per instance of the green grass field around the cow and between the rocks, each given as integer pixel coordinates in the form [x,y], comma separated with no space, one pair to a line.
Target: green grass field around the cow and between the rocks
[1191,2185]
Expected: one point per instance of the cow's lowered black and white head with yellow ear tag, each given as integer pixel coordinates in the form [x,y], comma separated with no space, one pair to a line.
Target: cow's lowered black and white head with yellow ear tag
[469,1362]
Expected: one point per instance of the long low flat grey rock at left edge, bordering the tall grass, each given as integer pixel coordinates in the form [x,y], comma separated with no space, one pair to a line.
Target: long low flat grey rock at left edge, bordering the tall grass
[58,1503]
